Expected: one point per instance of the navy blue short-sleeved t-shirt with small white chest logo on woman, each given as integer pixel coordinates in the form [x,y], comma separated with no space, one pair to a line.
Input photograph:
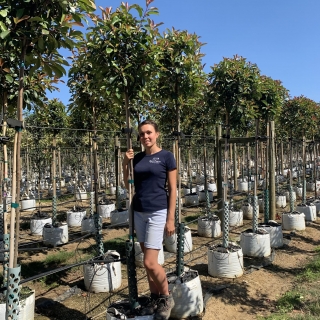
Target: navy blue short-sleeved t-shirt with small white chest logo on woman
[150,177]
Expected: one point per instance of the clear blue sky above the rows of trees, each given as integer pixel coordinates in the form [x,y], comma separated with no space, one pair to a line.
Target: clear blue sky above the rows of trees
[281,36]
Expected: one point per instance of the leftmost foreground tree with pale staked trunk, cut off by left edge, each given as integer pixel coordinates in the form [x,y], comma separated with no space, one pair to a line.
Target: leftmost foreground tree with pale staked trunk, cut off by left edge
[32,33]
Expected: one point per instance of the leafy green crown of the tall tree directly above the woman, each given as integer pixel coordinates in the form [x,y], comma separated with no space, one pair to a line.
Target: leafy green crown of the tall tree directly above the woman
[123,44]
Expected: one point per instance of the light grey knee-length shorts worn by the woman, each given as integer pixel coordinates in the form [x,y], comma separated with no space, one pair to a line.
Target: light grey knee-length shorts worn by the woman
[149,227]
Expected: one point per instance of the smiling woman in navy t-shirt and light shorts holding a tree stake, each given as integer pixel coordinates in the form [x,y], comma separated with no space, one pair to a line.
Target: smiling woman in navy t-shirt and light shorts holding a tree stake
[154,210]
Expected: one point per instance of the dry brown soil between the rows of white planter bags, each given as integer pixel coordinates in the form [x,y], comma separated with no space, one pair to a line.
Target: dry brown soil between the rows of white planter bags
[247,297]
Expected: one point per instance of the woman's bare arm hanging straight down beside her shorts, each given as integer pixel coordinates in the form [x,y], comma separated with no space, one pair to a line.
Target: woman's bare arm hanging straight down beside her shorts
[172,188]
